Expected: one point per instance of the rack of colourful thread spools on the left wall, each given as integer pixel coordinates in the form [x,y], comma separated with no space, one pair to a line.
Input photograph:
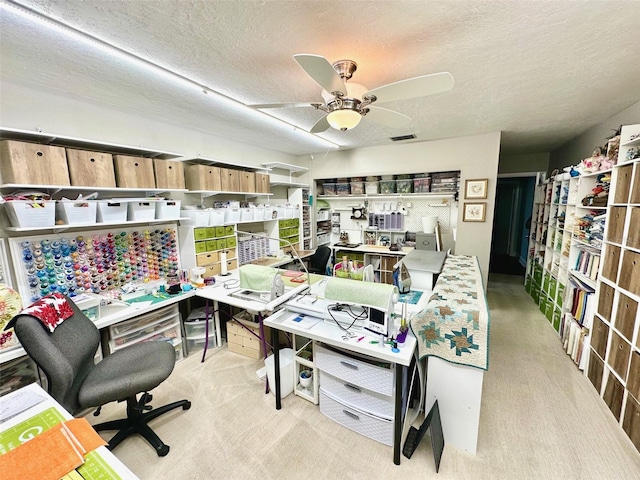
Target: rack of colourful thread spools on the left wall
[100,261]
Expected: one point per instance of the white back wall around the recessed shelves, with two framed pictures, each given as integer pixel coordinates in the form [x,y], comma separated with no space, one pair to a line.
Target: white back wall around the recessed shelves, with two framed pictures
[475,157]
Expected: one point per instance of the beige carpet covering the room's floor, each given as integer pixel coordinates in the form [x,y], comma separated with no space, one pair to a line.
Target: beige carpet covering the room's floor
[540,419]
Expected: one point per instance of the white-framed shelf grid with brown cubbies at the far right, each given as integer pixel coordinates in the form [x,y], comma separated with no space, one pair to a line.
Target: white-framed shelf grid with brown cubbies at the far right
[613,365]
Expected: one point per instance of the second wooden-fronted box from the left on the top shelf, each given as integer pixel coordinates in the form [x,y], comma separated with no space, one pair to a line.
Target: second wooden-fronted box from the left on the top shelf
[93,169]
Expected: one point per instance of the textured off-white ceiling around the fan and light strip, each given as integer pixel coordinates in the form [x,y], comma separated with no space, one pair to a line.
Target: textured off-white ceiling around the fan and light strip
[540,72]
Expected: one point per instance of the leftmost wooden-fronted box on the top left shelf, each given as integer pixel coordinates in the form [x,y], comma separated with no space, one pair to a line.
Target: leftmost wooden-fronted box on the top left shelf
[33,164]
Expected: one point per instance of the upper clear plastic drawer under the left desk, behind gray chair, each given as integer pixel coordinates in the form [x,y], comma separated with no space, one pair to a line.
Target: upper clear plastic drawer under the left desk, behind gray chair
[144,327]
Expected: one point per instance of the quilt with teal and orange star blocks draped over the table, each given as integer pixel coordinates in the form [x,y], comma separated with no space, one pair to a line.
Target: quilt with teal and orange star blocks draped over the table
[454,325]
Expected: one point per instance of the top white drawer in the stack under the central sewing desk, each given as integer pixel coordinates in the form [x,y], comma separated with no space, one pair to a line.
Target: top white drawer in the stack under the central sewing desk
[361,372]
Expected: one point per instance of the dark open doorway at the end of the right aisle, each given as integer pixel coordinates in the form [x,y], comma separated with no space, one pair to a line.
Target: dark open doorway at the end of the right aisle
[511,224]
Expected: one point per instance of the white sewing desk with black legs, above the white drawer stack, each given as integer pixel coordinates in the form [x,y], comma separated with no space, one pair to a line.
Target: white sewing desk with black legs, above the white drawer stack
[332,335]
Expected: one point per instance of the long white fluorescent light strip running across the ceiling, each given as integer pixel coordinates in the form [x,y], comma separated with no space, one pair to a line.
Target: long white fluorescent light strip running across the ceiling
[78,35]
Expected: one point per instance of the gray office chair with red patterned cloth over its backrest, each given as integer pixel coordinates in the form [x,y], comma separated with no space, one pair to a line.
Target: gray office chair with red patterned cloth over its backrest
[66,356]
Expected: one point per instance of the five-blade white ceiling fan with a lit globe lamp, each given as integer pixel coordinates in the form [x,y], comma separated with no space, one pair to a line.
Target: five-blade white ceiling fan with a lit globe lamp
[345,103]
